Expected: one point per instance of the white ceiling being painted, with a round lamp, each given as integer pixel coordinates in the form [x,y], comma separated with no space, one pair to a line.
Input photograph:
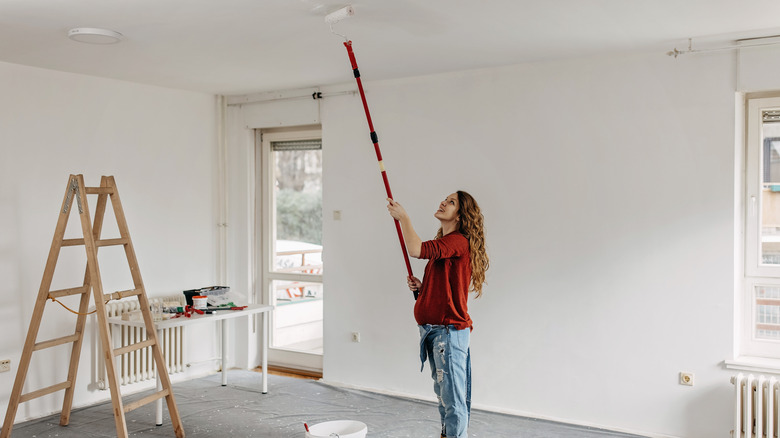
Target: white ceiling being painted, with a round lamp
[246,46]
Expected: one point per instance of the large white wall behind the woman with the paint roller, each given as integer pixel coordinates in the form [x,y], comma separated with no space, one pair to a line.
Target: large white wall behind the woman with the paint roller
[607,186]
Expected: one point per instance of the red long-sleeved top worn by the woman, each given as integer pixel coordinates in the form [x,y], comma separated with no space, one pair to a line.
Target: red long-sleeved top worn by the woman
[444,294]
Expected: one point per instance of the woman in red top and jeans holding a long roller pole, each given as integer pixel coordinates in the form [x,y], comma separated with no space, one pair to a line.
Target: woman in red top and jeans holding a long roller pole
[457,262]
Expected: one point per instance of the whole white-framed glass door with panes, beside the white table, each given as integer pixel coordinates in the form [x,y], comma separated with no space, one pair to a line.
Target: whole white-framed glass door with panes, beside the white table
[292,265]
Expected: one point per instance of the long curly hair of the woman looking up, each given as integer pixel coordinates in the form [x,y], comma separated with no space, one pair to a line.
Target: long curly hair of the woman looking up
[471,225]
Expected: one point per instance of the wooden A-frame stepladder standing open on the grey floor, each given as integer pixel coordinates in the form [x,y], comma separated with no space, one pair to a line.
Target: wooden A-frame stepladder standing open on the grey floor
[76,191]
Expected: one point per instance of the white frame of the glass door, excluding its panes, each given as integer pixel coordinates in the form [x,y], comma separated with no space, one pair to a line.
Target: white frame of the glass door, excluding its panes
[264,229]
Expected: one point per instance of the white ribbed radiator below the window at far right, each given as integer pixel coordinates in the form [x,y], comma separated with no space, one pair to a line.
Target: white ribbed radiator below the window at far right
[755,406]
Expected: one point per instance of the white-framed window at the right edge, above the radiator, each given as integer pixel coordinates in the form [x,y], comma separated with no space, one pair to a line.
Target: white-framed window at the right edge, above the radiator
[760,311]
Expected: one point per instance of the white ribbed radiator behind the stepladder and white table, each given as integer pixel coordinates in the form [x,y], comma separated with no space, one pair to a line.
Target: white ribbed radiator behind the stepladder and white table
[137,366]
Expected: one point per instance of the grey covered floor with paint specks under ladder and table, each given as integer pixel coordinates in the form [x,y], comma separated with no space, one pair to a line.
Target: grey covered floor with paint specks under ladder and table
[241,410]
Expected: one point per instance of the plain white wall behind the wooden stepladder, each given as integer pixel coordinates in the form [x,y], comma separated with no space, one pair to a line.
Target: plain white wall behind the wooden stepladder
[160,146]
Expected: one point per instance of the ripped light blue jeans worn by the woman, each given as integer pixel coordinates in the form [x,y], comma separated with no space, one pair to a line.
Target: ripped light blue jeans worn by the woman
[447,351]
